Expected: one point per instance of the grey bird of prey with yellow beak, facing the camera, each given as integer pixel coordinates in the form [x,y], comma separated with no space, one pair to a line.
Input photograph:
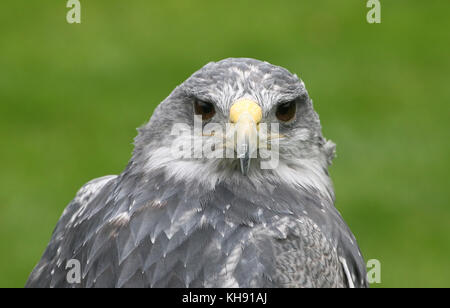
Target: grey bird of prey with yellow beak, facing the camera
[196,221]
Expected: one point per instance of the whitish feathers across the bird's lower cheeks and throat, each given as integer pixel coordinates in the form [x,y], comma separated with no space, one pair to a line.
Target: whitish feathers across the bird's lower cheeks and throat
[306,172]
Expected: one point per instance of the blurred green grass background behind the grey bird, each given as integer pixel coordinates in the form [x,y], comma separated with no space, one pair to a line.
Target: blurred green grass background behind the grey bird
[71,97]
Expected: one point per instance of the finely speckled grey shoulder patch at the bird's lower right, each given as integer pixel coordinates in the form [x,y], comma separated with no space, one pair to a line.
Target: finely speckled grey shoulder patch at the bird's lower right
[303,255]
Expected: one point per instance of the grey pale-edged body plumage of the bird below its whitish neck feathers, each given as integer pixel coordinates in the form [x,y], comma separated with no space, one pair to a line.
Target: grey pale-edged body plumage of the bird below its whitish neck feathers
[221,238]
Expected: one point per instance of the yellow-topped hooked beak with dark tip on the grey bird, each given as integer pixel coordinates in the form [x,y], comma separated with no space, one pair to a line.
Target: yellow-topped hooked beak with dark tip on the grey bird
[246,115]
